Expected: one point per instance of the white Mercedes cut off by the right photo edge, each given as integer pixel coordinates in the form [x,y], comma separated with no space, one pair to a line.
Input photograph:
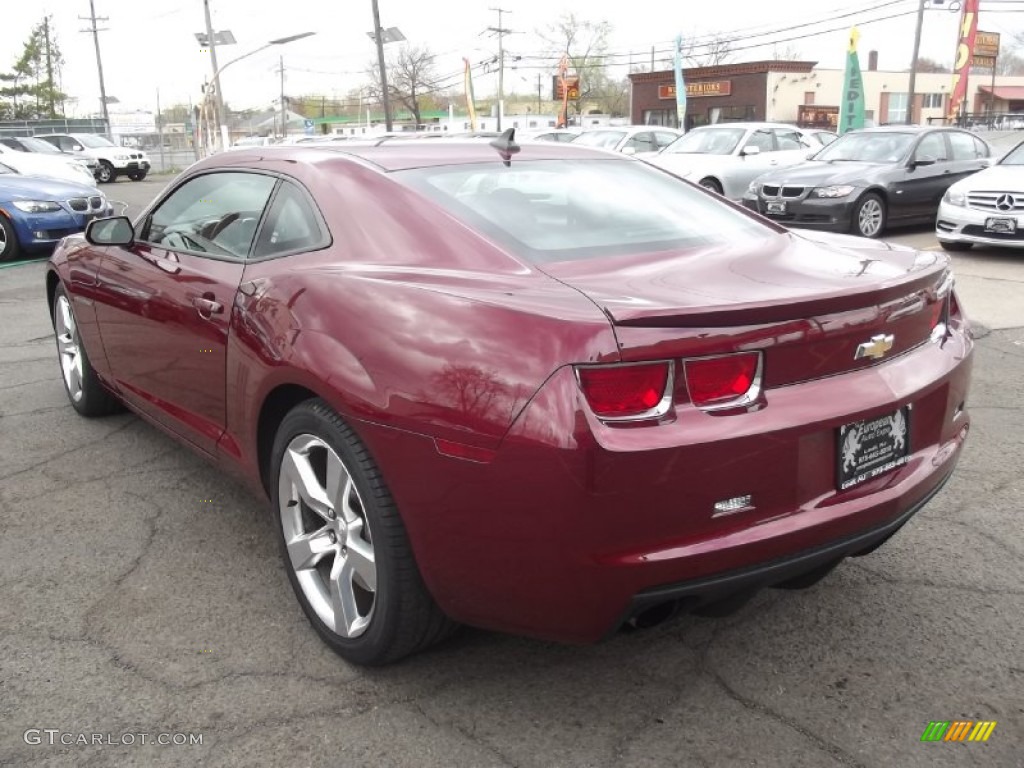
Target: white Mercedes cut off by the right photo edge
[987,208]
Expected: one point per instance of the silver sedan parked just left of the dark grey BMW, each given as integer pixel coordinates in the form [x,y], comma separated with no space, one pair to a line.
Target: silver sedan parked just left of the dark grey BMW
[726,158]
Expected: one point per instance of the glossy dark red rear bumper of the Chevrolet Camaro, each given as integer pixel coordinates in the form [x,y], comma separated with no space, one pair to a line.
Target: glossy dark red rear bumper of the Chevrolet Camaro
[573,527]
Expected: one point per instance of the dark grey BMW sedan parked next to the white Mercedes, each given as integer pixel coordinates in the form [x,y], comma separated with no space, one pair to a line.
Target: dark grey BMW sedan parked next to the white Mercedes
[871,180]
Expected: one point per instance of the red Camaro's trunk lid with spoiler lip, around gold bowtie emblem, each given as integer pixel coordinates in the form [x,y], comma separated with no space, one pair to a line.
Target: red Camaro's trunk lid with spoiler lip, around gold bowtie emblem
[808,302]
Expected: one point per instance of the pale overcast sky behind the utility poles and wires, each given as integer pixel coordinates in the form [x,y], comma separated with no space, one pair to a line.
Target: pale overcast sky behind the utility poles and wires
[151,47]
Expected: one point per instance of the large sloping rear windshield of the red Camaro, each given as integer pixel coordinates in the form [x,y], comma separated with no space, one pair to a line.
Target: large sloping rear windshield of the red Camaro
[559,210]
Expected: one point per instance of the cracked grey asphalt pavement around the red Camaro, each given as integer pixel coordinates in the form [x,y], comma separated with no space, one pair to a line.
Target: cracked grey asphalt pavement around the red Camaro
[144,593]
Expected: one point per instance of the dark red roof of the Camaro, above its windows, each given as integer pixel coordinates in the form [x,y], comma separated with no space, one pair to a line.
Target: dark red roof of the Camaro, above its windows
[398,156]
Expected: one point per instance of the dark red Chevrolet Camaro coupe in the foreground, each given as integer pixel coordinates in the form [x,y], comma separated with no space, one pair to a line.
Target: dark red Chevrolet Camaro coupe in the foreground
[542,390]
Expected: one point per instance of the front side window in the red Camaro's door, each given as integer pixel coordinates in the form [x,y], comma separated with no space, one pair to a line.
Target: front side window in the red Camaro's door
[216,214]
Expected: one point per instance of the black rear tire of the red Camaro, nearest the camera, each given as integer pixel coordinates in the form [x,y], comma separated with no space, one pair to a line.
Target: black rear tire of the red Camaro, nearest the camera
[403,618]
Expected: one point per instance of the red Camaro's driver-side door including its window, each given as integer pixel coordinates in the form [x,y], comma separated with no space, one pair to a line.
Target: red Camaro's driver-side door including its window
[165,303]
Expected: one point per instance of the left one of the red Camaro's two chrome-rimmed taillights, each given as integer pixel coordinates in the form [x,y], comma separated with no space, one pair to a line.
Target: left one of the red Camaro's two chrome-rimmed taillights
[624,392]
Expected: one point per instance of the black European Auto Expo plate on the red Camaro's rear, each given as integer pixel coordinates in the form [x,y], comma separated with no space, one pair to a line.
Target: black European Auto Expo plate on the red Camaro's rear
[871,448]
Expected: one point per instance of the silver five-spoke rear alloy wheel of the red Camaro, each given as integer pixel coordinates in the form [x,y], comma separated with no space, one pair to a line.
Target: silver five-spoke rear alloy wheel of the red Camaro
[327,536]
